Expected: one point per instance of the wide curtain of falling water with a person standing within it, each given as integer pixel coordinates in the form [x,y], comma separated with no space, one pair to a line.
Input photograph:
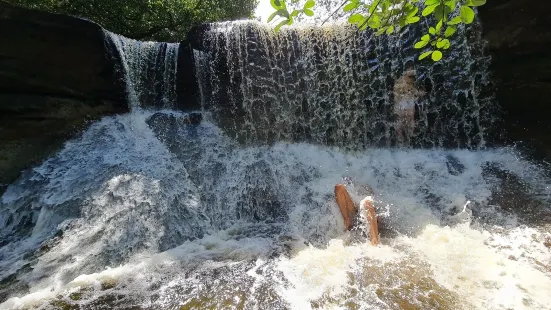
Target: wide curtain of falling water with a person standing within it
[334,85]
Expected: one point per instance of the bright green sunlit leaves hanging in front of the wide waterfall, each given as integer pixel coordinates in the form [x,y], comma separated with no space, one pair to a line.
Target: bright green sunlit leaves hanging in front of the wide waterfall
[391,16]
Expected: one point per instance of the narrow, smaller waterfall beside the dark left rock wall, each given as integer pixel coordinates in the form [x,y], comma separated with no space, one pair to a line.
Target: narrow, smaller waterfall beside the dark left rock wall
[149,69]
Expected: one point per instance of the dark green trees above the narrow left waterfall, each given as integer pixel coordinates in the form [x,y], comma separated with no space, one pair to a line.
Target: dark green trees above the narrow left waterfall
[161,20]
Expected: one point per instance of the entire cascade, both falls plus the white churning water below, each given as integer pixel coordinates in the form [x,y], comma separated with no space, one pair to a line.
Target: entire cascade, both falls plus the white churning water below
[156,210]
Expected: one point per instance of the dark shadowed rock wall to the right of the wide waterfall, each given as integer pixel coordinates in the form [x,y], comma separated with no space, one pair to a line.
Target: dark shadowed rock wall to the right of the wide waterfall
[519,36]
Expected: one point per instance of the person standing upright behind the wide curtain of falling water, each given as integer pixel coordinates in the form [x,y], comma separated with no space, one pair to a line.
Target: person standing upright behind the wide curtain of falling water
[406,96]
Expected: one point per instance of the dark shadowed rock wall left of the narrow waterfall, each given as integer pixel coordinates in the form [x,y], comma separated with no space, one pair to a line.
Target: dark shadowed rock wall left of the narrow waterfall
[55,74]
